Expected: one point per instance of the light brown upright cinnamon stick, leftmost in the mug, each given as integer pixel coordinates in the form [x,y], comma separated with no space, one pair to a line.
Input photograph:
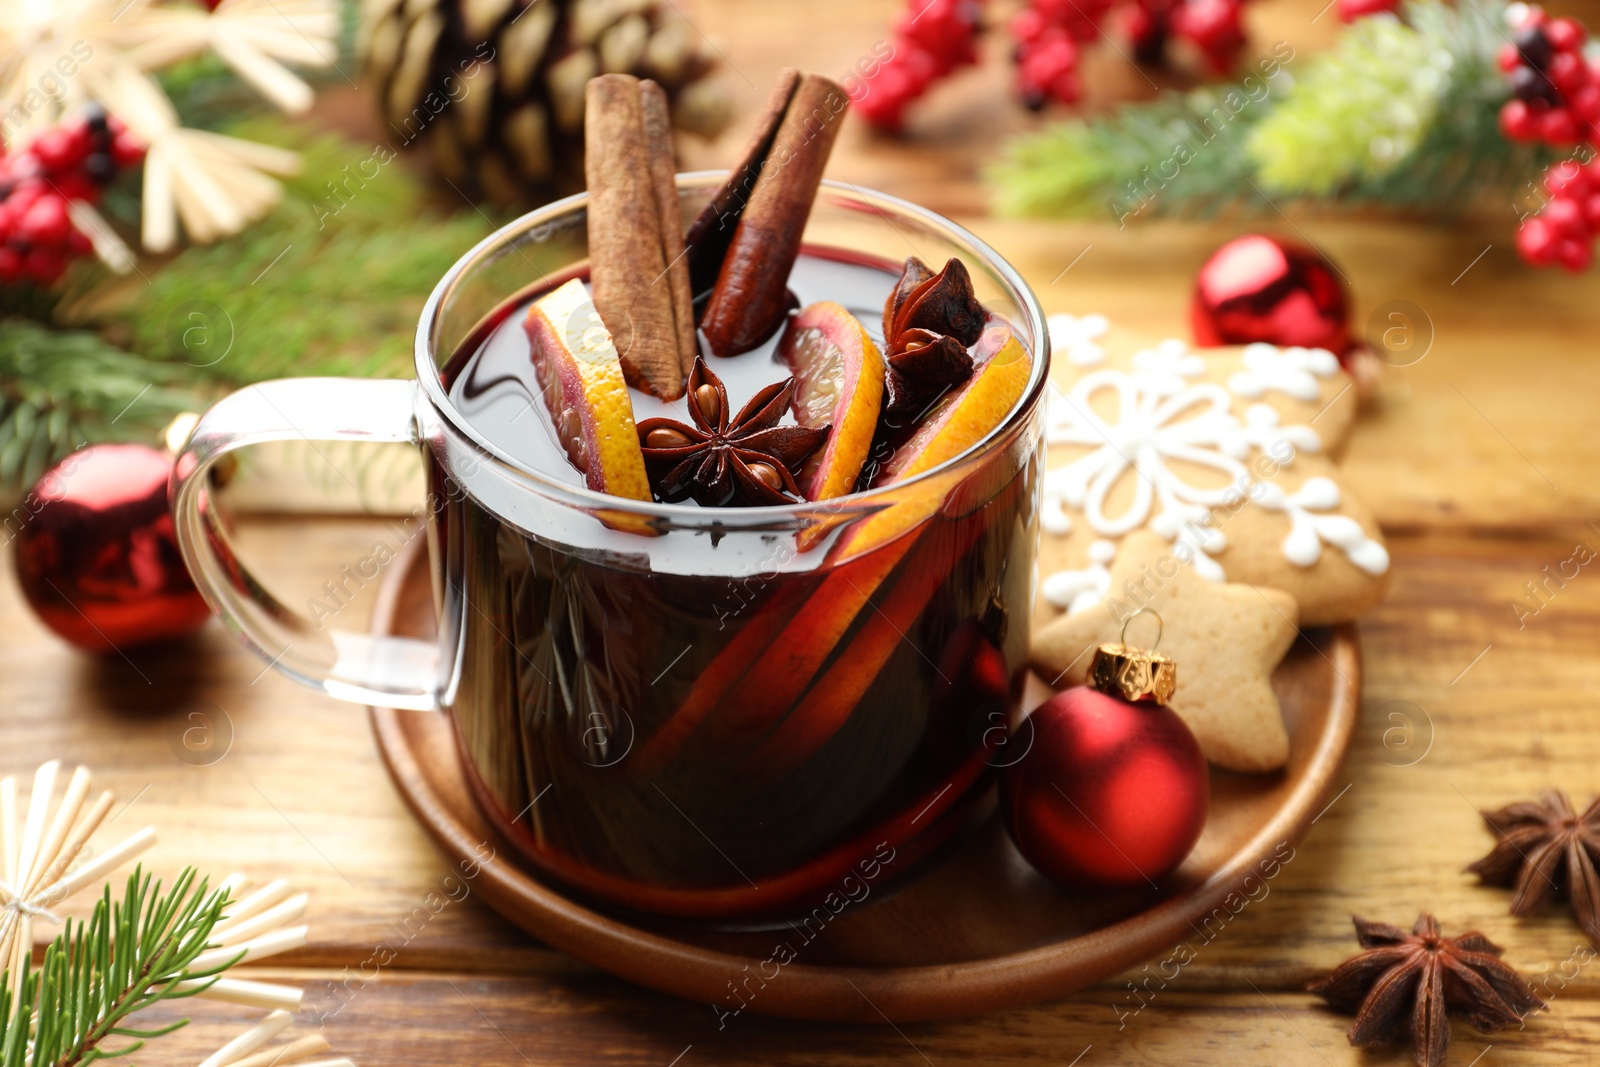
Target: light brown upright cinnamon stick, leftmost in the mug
[628,266]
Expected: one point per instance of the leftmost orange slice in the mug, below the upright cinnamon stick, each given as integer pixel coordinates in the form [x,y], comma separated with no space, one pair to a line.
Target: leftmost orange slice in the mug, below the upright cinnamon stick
[582,380]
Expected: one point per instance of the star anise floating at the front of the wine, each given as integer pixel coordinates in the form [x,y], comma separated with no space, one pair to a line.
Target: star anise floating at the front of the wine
[721,462]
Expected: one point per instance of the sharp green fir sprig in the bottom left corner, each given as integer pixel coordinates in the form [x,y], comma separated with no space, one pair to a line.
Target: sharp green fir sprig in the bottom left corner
[129,956]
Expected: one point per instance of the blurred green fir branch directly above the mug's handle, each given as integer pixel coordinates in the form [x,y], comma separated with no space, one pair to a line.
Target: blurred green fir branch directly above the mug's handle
[330,284]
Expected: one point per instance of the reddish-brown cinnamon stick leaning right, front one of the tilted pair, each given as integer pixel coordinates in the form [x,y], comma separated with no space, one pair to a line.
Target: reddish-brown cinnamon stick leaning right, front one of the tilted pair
[751,297]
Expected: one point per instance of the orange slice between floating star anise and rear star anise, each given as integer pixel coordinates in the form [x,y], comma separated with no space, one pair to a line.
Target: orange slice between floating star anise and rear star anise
[839,382]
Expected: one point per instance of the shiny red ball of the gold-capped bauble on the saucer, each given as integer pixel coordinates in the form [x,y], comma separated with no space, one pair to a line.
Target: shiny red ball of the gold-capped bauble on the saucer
[1111,796]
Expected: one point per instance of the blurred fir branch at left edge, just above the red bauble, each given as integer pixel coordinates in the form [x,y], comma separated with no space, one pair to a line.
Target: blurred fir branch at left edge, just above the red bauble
[62,390]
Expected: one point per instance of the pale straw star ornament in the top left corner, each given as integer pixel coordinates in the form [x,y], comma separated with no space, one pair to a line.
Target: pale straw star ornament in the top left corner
[57,55]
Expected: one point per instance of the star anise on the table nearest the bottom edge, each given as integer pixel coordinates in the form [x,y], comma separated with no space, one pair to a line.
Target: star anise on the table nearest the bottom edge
[1409,985]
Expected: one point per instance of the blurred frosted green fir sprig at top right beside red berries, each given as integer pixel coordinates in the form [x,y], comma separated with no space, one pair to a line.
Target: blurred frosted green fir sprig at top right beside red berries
[1399,113]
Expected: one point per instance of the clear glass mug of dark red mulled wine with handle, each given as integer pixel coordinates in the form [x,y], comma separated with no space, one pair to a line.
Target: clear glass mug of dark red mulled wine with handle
[724,714]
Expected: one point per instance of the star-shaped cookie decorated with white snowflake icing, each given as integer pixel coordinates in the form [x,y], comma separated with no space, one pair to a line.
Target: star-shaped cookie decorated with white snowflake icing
[1226,454]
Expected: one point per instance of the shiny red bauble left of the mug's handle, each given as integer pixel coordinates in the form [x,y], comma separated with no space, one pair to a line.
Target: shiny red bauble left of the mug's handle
[97,556]
